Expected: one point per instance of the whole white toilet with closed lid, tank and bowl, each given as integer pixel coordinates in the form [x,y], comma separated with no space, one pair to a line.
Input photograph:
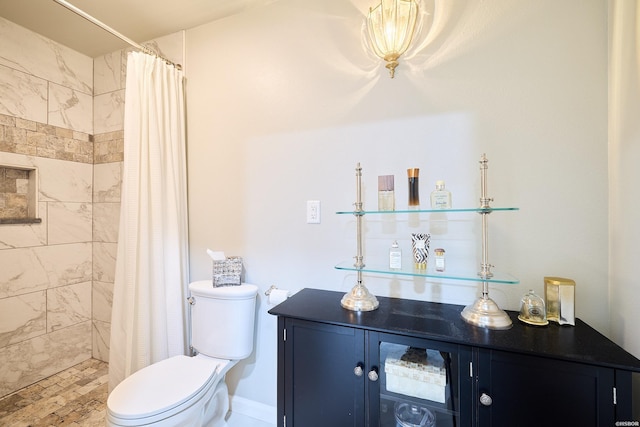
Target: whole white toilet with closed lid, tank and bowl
[191,391]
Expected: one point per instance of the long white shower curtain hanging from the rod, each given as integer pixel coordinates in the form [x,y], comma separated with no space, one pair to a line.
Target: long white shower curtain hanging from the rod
[148,322]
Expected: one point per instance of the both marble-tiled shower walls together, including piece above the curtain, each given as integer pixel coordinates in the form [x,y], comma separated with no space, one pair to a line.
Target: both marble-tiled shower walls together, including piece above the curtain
[60,112]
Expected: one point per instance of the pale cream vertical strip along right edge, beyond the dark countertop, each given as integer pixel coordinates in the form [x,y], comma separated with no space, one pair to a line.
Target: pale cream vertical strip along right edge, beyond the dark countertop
[624,195]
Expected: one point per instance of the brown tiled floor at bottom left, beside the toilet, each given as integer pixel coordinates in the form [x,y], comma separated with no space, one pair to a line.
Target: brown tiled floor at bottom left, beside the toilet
[74,397]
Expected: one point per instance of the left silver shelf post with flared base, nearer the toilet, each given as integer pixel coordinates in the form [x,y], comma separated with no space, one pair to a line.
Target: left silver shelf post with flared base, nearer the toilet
[359,298]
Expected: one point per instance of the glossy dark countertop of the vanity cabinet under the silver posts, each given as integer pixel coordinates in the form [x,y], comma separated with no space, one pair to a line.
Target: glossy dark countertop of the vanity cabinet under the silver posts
[443,322]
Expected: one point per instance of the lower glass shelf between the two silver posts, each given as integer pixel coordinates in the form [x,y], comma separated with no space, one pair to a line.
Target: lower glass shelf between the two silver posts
[471,276]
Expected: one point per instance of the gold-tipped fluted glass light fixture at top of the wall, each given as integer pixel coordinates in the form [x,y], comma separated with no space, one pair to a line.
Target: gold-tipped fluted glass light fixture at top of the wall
[391,25]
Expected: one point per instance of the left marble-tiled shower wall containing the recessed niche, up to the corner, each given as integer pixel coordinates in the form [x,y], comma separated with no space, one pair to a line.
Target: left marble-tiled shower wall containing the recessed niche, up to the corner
[46,122]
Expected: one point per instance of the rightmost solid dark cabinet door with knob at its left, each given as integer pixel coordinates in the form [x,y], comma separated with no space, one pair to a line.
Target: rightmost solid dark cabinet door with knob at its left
[532,391]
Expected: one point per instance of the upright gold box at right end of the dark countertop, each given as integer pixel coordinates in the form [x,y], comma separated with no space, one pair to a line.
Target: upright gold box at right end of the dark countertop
[560,295]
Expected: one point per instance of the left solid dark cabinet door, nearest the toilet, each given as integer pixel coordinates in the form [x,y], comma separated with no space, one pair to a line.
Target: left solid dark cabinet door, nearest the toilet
[321,387]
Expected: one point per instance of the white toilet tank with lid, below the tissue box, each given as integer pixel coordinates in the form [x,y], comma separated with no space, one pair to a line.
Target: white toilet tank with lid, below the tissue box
[223,319]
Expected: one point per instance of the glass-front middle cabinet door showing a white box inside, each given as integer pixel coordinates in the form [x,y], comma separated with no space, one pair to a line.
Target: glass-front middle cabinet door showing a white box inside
[421,382]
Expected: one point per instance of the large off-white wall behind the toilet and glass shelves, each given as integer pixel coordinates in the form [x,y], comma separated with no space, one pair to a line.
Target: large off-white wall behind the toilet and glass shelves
[283,101]
